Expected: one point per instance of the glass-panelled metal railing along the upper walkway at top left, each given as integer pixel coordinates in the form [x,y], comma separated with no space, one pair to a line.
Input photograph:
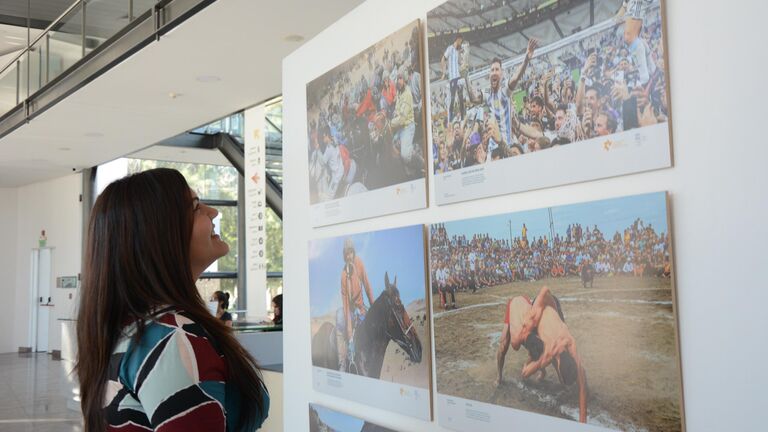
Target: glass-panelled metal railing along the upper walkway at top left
[88,39]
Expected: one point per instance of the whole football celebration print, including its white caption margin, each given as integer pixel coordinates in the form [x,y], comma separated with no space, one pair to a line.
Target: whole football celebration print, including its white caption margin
[532,94]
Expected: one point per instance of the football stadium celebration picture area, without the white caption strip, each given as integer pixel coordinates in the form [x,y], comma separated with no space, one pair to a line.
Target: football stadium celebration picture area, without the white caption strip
[509,78]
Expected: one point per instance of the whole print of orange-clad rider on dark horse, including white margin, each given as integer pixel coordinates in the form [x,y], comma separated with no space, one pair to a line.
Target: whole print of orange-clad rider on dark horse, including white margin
[369,319]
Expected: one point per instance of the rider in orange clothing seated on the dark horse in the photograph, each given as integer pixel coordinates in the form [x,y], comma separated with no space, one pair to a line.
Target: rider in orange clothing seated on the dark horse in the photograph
[354,279]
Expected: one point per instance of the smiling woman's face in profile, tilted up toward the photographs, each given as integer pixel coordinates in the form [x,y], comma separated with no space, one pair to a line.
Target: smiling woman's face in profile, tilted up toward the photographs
[205,246]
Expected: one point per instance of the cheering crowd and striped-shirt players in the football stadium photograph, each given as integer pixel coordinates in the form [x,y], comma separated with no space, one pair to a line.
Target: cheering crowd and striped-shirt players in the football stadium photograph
[606,82]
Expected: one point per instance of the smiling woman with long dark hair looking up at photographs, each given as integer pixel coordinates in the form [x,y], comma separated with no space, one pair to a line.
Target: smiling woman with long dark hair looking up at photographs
[150,355]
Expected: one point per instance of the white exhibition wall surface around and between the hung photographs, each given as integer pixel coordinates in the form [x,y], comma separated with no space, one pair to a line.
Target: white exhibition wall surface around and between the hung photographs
[716,189]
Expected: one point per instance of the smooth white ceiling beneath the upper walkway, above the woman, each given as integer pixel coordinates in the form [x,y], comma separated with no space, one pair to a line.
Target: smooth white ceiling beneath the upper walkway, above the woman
[128,108]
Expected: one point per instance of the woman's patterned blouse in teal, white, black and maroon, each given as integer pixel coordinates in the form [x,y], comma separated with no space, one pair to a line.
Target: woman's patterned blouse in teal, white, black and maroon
[172,370]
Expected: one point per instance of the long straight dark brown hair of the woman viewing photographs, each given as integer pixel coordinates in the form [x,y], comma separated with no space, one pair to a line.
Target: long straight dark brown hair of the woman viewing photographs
[138,259]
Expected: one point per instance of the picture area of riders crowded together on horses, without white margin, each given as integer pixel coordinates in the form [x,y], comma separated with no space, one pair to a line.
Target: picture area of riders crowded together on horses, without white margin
[365,121]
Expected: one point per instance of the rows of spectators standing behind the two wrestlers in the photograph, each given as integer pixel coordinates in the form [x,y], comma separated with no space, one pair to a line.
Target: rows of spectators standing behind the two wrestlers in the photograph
[459,263]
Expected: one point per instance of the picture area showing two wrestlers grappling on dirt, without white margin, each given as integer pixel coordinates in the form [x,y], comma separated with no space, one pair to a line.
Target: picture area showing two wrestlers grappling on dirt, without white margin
[583,295]
